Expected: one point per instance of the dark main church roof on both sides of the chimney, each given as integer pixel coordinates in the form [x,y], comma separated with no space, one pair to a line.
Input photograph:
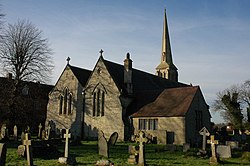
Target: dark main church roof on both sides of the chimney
[142,81]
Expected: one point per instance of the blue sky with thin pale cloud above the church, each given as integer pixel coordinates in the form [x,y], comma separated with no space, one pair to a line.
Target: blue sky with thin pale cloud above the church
[210,39]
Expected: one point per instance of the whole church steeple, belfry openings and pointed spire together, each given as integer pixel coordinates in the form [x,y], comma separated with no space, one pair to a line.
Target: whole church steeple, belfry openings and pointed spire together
[166,68]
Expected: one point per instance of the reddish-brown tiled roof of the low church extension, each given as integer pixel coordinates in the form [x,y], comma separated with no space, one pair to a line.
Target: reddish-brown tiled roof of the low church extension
[172,102]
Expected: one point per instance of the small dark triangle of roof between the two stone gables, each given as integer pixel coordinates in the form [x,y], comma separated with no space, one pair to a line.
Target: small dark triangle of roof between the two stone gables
[81,74]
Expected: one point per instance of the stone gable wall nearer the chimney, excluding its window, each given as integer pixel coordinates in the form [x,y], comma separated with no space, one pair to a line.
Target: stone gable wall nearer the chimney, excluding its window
[111,121]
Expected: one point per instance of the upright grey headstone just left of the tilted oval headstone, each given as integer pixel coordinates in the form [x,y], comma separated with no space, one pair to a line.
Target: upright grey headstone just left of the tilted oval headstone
[102,145]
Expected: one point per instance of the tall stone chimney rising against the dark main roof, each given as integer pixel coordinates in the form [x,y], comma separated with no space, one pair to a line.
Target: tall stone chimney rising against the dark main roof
[128,74]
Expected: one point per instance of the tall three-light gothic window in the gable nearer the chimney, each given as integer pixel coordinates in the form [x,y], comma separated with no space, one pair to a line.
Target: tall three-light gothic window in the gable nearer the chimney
[99,101]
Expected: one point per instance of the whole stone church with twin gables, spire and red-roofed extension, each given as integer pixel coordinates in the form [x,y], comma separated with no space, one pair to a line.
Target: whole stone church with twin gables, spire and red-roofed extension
[119,98]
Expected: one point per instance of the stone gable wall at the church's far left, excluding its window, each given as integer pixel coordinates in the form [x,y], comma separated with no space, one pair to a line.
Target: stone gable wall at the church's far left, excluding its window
[72,121]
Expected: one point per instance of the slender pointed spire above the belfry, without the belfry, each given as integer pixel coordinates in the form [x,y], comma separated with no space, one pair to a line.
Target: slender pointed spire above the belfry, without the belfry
[166,49]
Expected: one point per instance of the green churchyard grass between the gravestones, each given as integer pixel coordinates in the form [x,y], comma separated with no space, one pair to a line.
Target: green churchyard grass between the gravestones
[87,154]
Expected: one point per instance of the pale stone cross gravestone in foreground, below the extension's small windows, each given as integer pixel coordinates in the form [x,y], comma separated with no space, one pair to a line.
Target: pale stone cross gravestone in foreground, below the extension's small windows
[141,139]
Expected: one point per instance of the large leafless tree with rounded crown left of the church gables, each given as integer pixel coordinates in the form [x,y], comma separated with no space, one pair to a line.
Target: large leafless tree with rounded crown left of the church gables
[24,53]
